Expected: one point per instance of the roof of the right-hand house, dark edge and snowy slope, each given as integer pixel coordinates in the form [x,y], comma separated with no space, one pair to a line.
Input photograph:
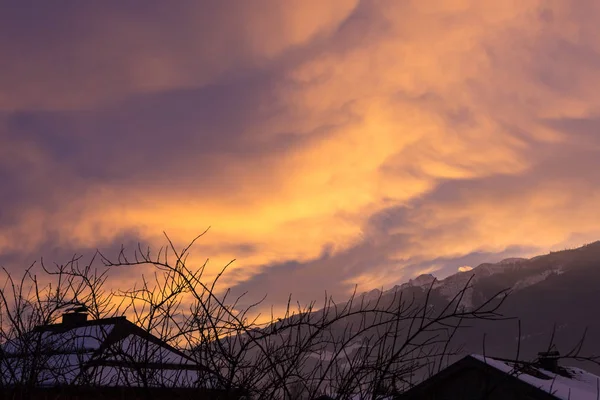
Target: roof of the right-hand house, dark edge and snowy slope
[568,383]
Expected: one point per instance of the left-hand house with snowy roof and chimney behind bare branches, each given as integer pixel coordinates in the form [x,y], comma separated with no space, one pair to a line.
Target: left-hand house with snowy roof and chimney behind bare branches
[103,358]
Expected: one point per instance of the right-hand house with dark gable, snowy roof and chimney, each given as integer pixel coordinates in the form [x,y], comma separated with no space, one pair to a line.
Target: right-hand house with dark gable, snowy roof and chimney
[479,377]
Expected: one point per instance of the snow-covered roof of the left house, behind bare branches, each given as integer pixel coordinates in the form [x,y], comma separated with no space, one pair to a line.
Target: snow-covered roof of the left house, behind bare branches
[105,352]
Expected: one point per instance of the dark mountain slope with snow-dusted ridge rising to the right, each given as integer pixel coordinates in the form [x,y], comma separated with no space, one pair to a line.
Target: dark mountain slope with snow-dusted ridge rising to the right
[558,292]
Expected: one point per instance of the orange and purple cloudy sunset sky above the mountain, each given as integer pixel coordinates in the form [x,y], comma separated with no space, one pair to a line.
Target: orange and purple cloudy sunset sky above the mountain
[327,144]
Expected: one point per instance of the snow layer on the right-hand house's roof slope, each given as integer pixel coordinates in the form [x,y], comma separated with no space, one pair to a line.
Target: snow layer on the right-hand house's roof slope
[580,385]
